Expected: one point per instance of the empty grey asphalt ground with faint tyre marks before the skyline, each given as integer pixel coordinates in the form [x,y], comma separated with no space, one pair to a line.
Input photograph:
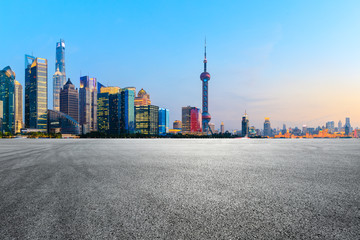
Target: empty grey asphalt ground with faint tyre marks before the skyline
[179,189]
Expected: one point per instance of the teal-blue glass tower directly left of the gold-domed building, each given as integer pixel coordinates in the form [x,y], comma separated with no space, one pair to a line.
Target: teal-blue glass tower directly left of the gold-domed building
[127,110]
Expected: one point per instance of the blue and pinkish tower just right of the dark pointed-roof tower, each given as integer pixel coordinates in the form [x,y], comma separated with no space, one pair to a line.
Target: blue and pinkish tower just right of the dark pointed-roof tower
[88,104]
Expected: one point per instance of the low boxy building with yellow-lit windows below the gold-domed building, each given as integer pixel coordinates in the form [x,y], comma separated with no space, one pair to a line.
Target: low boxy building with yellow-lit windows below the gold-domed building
[147,119]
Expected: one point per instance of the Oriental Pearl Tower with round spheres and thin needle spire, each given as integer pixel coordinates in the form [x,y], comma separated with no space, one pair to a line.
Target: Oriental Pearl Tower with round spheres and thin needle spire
[205,78]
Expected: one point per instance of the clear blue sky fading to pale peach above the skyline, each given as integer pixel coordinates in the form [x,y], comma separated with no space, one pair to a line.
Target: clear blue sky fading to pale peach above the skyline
[296,62]
